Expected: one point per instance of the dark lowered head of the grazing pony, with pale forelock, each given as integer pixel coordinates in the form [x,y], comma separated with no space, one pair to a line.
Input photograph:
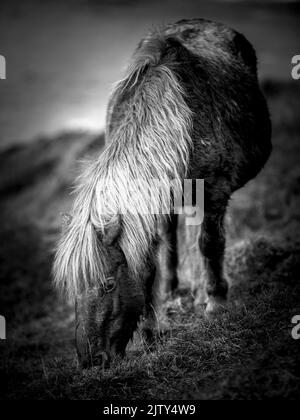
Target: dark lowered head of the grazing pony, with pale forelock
[109,307]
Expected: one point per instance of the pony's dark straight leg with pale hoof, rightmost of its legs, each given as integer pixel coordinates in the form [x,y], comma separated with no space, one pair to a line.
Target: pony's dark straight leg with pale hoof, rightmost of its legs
[212,247]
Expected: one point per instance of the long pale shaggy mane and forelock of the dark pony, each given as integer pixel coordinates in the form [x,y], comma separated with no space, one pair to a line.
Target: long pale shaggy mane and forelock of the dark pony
[148,136]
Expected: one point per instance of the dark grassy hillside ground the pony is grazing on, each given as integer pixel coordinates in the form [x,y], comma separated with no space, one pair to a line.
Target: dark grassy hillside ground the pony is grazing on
[248,353]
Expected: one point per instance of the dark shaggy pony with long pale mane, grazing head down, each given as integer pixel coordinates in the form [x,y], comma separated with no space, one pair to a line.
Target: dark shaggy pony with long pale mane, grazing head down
[189,107]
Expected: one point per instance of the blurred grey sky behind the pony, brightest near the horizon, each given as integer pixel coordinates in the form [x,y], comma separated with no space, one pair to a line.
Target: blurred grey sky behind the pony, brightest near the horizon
[63,57]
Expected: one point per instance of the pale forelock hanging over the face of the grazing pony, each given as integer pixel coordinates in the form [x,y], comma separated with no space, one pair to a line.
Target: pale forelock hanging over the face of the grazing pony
[78,263]
